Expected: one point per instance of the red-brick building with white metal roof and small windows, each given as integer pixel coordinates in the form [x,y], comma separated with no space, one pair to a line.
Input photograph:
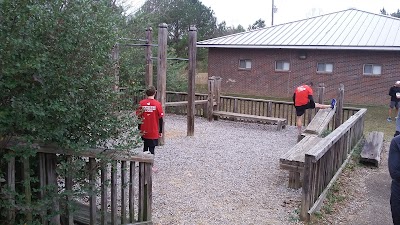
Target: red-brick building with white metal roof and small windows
[356,48]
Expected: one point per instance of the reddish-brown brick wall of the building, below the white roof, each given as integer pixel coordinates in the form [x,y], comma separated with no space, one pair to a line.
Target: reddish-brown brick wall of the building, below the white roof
[263,80]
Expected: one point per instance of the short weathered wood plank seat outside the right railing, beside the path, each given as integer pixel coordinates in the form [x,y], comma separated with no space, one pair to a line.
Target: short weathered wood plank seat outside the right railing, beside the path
[371,152]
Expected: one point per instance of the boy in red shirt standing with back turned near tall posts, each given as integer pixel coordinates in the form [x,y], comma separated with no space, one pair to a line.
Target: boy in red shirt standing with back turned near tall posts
[151,114]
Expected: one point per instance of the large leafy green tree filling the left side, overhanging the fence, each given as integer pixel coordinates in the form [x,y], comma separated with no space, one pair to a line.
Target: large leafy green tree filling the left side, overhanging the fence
[56,77]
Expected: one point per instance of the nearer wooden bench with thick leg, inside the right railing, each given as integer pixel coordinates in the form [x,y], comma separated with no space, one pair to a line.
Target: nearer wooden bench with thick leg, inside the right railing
[293,160]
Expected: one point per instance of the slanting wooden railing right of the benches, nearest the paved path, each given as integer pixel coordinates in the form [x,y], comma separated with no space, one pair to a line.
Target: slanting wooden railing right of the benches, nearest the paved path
[325,161]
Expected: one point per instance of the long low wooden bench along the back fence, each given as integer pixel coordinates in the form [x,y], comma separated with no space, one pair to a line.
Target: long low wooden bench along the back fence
[280,122]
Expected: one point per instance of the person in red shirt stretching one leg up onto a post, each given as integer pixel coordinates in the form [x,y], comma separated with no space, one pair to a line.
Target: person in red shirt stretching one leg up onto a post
[303,99]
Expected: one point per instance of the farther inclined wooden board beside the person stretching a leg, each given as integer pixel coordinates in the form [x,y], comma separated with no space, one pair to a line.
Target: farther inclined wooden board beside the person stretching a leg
[320,121]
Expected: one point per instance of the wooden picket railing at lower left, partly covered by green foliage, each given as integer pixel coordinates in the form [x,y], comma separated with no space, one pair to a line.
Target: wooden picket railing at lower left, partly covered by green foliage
[126,173]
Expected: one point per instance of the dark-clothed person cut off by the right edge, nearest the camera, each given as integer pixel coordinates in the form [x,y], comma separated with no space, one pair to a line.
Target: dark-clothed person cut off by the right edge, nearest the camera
[394,171]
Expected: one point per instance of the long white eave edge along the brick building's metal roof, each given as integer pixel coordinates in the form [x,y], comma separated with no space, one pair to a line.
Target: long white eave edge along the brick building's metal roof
[321,47]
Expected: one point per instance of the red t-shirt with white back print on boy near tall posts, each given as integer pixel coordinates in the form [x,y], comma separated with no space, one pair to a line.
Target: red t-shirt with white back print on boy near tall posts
[150,111]
